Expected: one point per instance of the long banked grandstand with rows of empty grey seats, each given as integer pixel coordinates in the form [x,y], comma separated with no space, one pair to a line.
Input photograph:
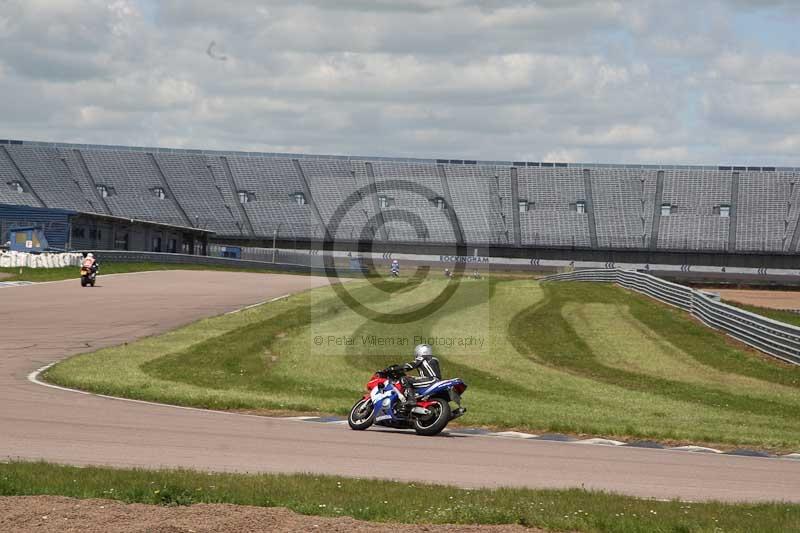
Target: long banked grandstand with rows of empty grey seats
[499,204]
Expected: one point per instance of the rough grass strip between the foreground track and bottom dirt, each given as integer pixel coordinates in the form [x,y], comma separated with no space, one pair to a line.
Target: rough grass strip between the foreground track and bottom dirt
[560,510]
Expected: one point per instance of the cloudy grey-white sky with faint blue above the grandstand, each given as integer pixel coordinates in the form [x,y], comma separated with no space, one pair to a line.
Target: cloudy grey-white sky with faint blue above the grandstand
[644,81]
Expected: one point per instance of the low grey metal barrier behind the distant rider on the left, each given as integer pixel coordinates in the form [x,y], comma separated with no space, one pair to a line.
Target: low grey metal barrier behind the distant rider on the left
[119,256]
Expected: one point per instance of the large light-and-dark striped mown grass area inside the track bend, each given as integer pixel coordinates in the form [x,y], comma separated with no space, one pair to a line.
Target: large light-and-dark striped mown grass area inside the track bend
[580,358]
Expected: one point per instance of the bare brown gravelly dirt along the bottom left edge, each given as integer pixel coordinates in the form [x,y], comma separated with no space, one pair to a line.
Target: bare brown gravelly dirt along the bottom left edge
[58,514]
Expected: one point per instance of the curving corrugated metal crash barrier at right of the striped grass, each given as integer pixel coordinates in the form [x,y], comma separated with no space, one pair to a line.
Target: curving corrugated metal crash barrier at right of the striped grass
[769,336]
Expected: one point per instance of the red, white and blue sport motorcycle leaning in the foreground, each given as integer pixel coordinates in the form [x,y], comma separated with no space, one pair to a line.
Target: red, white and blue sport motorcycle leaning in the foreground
[382,405]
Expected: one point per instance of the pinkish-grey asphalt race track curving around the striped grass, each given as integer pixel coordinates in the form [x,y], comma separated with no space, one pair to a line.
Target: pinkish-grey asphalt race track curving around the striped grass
[43,323]
